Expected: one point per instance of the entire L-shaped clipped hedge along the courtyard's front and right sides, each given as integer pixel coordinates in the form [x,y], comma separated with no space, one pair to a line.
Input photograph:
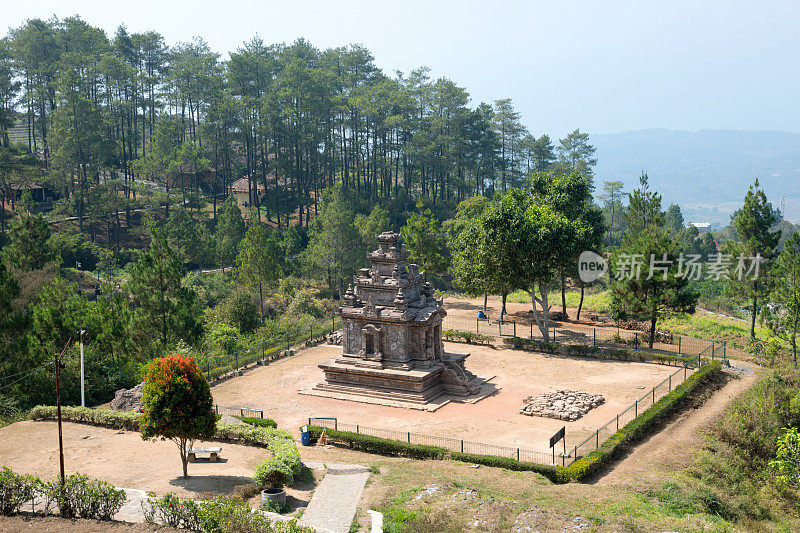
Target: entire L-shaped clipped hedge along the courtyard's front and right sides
[577,471]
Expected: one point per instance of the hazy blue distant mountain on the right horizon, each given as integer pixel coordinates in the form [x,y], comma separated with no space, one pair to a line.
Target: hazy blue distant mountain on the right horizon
[706,172]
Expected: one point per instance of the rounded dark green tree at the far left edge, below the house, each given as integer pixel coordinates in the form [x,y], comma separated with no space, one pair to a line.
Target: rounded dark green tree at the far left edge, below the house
[28,248]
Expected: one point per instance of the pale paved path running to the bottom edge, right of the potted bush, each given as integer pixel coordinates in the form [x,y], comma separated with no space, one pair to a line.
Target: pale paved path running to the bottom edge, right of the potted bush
[335,499]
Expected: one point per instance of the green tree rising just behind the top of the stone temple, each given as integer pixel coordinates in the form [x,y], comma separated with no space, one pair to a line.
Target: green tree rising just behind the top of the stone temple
[426,241]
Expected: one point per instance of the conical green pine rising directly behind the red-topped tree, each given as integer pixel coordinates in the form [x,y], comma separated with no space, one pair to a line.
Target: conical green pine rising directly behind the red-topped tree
[164,308]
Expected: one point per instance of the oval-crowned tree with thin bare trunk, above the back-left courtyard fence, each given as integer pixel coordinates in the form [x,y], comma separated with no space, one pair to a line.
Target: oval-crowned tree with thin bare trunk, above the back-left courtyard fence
[258,262]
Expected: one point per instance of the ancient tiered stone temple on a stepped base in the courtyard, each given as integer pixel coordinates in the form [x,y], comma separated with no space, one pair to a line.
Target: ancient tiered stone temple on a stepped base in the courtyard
[392,351]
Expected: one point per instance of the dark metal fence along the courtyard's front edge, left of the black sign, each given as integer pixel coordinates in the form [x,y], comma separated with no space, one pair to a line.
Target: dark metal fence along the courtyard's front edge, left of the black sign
[455,445]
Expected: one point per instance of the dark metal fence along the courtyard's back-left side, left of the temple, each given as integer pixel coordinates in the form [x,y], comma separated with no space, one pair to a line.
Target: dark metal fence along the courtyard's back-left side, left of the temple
[264,352]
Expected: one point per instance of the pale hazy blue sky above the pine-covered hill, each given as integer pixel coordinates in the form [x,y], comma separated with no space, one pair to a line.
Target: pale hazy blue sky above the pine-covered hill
[602,67]
